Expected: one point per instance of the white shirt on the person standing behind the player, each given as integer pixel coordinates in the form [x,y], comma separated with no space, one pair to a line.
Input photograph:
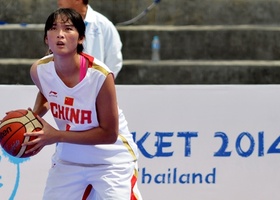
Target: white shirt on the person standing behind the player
[102,40]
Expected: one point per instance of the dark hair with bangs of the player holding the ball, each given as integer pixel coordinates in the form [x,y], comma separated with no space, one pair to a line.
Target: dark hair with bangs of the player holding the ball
[71,15]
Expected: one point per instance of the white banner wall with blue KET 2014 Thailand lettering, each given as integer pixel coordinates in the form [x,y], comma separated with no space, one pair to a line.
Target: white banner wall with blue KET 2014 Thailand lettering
[196,142]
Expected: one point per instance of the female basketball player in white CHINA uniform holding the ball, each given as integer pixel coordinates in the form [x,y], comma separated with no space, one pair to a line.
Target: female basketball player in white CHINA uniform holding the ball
[93,143]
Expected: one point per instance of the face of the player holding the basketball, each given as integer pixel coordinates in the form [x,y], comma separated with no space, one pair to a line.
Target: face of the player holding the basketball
[63,37]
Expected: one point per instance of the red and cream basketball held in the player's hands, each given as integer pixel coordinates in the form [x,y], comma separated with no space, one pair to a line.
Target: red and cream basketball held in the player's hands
[12,128]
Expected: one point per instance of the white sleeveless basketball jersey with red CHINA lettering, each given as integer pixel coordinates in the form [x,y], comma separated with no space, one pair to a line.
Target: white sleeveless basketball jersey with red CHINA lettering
[75,109]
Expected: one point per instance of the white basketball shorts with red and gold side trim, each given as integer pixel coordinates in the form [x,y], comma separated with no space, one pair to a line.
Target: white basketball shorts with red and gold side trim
[109,182]
